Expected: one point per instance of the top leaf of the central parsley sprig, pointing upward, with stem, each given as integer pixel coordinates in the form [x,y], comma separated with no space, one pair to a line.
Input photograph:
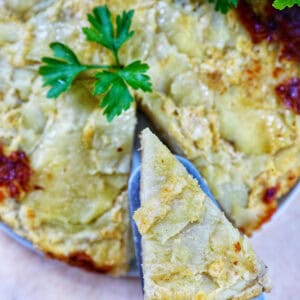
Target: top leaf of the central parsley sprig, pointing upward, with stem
[102,31]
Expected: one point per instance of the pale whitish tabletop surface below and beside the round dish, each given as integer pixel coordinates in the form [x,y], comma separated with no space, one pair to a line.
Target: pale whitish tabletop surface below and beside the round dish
[27,276]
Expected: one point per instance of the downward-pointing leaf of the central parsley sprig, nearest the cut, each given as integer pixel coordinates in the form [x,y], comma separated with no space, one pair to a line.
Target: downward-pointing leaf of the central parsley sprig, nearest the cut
[117,96]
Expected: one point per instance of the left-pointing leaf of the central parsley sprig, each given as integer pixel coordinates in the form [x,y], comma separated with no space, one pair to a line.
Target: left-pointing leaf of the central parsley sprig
[61,71]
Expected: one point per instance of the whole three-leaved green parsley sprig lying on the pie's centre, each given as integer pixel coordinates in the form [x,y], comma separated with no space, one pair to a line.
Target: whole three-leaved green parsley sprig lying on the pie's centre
[113,82]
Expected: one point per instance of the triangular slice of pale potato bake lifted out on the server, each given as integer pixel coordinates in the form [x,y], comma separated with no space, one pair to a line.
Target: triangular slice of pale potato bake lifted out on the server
[190,249]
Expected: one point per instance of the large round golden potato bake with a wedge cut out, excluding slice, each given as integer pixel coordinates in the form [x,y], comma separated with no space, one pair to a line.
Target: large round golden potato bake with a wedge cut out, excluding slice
[213,101]
